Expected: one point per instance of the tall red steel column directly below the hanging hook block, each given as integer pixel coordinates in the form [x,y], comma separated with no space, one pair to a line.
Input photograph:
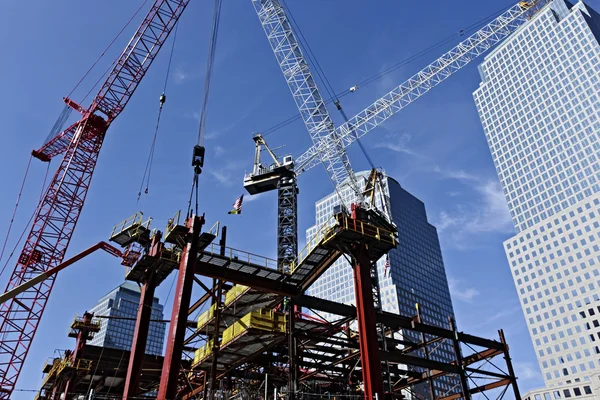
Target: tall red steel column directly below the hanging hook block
[181,304]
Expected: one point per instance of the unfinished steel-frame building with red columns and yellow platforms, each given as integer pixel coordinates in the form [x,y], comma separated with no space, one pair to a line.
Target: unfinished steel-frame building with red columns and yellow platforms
[259,336]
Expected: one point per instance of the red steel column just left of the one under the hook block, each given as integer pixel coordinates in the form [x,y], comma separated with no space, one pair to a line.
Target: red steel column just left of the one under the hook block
[142,325]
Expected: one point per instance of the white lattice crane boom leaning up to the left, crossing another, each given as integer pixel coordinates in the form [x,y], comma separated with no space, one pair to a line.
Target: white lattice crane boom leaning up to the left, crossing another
[304,90]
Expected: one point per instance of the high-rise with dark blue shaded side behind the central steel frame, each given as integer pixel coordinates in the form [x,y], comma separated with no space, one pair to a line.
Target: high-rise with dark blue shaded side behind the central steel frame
[416,272]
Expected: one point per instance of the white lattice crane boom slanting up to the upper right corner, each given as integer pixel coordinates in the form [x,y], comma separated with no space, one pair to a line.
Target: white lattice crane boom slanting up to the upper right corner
[328,148]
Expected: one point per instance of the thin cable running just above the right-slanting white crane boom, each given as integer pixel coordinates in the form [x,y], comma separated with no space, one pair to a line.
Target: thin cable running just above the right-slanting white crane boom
[394,67]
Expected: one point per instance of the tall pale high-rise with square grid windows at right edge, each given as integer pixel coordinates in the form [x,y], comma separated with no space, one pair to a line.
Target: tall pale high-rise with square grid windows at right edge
[539,103]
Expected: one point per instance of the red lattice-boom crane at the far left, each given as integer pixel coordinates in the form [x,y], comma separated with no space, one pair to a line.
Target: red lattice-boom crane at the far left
[59,210]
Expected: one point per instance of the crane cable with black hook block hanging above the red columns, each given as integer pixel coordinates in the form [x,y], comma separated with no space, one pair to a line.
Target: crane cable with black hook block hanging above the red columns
[198,158]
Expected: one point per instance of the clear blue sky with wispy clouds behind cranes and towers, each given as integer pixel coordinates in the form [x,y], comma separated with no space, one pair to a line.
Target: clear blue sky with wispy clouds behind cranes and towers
[436,148]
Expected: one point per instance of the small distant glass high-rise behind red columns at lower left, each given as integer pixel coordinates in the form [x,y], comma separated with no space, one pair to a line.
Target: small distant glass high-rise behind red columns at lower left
[117,332]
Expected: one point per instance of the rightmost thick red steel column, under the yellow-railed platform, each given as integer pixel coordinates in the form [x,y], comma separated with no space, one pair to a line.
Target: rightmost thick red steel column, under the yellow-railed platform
[367,330]
